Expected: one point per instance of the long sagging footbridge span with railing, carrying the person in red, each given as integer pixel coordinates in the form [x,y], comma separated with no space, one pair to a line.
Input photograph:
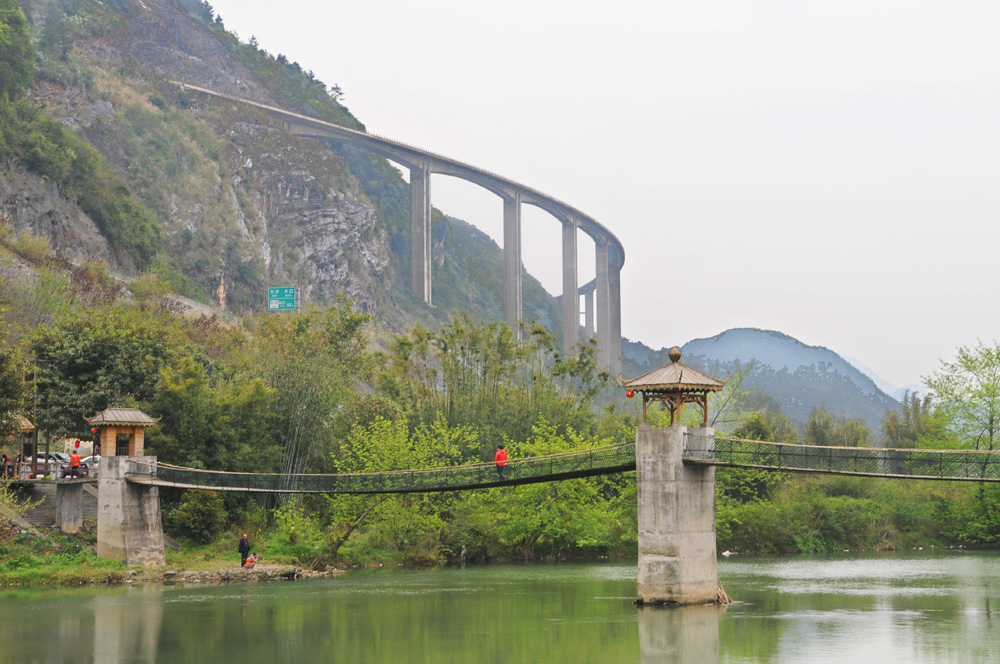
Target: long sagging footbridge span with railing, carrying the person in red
[594,461]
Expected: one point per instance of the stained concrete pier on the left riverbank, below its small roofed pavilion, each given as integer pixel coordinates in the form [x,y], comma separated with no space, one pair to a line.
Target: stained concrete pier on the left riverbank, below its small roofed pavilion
[128,516]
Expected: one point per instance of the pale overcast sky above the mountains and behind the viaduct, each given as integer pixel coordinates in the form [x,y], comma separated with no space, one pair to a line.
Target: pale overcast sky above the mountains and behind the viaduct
[826,169]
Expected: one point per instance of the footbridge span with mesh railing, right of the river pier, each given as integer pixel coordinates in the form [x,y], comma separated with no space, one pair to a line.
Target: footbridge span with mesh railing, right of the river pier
[970,465]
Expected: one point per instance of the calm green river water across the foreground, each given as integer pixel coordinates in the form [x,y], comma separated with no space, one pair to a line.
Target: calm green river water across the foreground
[939,606]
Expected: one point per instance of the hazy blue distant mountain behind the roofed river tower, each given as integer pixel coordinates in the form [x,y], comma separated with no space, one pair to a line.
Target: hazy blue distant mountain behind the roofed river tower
[797,376]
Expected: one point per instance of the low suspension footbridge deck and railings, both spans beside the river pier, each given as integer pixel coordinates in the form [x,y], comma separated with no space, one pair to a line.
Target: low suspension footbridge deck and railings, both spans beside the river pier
[953,465]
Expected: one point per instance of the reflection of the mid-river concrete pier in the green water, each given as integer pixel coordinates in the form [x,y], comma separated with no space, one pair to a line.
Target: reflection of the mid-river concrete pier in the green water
[679,635]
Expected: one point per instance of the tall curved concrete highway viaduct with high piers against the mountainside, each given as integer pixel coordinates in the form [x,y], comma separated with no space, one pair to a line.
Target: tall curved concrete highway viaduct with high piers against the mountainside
[421,164]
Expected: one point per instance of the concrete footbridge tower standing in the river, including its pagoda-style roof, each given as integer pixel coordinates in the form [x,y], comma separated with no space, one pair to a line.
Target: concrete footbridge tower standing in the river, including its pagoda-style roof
[677,563]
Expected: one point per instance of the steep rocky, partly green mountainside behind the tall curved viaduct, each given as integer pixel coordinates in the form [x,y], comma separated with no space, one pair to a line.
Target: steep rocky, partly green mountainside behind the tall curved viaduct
[238,204]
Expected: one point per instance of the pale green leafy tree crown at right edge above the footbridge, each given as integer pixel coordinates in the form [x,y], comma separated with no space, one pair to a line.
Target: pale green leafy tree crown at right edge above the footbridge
[968,392]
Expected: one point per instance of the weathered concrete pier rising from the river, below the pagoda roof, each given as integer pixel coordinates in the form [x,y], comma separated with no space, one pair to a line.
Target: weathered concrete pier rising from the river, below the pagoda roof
[677,562]
